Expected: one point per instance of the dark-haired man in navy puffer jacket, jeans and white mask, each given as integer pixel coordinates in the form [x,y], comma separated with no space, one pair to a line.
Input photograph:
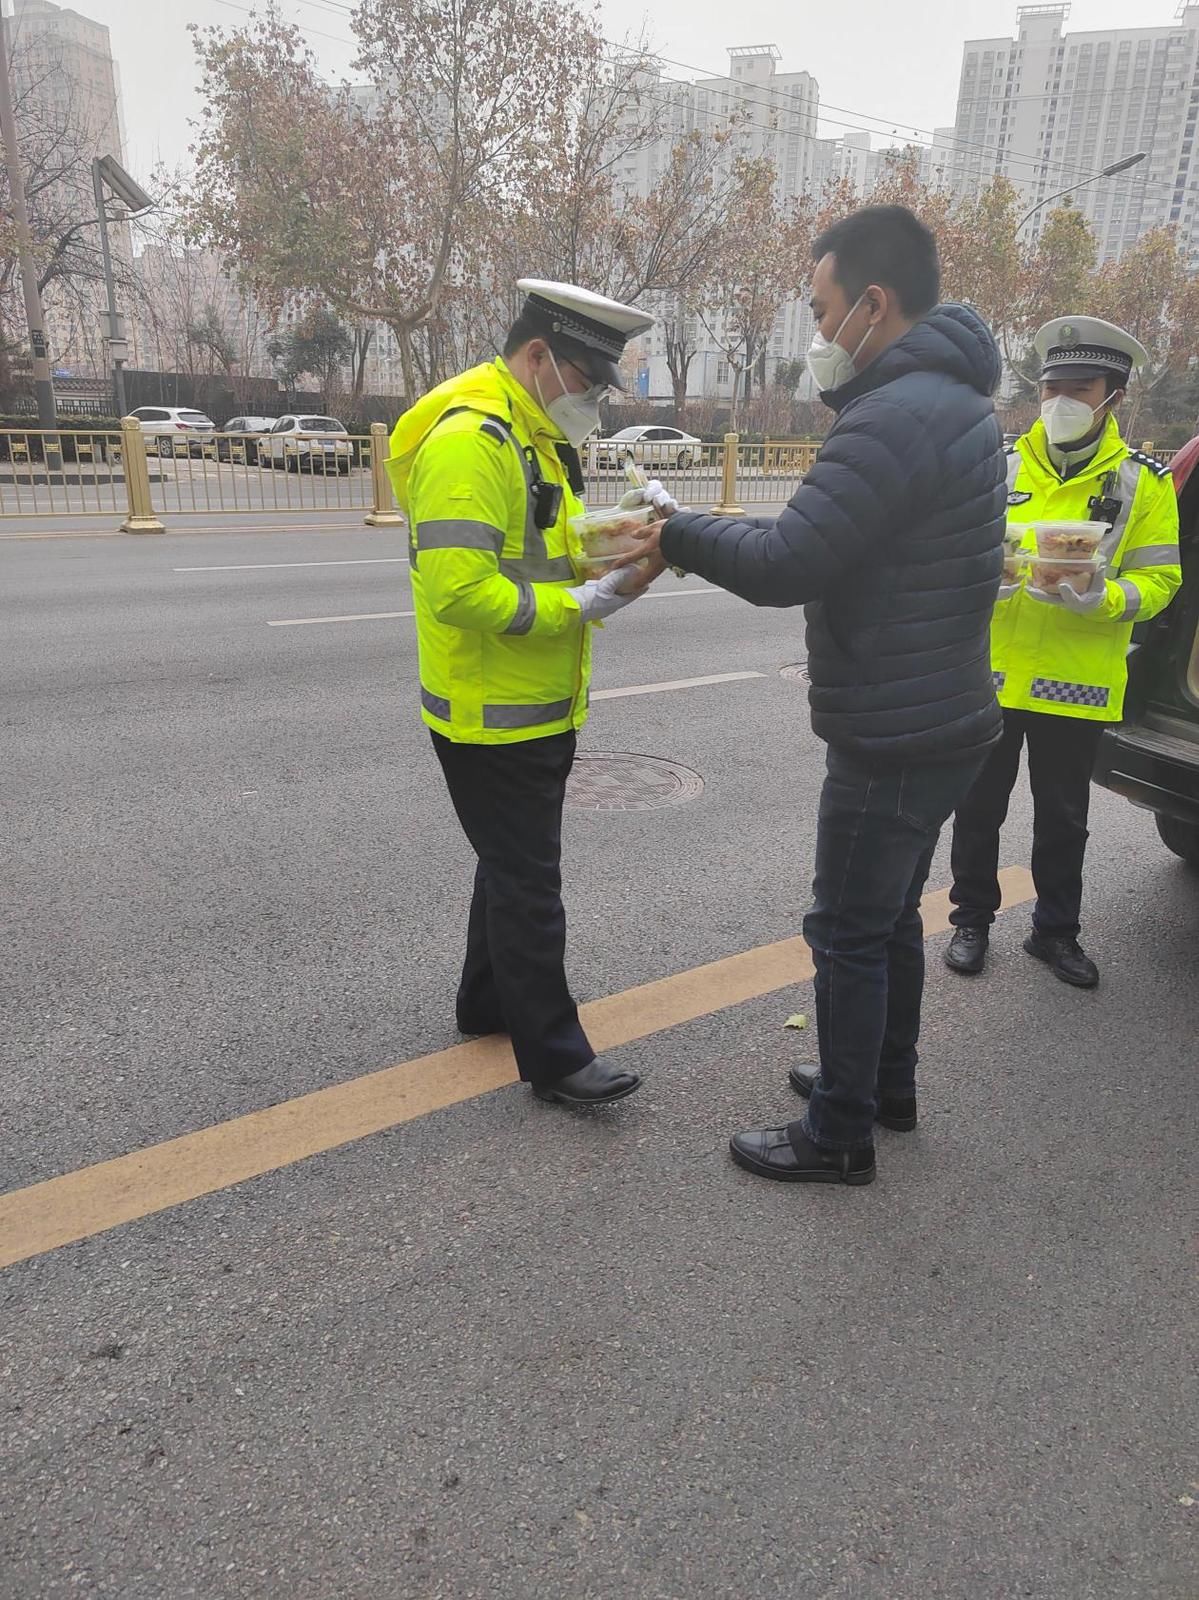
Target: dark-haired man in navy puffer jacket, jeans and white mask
[894,546]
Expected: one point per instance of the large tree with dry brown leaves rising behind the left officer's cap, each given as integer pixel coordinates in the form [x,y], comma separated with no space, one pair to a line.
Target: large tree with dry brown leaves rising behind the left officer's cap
[372,202]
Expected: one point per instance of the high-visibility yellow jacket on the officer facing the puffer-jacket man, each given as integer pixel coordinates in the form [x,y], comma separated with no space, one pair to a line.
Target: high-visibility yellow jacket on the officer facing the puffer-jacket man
[503,649]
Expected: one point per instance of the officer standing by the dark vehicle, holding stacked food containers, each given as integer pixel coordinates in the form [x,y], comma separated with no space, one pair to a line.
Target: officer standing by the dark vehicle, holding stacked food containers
[1059,657]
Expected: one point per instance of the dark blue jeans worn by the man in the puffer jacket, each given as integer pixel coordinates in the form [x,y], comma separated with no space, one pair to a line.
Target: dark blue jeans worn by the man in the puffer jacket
[876,836]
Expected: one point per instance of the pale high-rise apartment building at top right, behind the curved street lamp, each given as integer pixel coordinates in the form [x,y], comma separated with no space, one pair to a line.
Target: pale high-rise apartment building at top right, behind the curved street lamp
[1049,108]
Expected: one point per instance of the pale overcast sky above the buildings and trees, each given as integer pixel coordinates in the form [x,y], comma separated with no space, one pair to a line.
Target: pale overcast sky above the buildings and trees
[886,58]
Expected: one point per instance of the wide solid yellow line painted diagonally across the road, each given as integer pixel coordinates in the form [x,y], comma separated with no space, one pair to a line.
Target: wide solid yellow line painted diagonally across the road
[90,1201]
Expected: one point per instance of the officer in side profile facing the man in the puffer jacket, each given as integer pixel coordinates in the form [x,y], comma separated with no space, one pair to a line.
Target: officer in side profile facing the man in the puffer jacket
[487,473]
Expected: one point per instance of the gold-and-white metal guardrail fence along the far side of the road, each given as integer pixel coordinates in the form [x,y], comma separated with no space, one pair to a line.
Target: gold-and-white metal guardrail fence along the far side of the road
[145,478]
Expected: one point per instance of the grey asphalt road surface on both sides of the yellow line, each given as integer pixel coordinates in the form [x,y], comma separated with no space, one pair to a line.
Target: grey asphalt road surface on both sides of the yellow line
[505,1351]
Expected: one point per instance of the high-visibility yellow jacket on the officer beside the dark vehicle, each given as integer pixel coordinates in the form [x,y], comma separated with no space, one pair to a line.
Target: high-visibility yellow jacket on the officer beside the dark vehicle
[1073,665]
